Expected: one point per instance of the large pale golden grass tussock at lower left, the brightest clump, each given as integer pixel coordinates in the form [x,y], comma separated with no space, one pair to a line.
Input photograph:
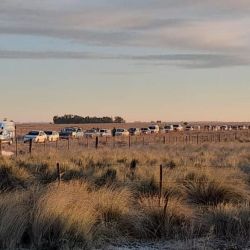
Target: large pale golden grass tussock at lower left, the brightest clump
[64,212]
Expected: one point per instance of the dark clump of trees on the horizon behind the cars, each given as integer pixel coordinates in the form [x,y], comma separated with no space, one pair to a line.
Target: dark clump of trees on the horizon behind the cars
[75,119]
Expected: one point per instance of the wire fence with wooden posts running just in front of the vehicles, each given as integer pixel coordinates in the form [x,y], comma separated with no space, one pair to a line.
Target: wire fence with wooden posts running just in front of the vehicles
[81,143]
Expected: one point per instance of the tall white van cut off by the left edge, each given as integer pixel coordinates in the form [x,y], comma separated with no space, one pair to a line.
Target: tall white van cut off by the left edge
[7,132]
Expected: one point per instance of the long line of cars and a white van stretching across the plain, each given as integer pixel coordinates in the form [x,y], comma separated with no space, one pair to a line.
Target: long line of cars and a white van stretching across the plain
[7,131]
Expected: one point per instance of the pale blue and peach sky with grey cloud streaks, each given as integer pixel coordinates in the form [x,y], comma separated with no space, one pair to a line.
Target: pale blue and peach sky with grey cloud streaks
[145,60]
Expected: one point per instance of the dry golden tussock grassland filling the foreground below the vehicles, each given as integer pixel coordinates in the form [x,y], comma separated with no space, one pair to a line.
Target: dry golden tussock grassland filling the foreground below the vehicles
[101,201]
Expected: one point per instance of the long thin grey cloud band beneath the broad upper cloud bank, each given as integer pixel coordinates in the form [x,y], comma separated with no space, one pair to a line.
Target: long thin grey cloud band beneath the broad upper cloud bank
[180,60]
